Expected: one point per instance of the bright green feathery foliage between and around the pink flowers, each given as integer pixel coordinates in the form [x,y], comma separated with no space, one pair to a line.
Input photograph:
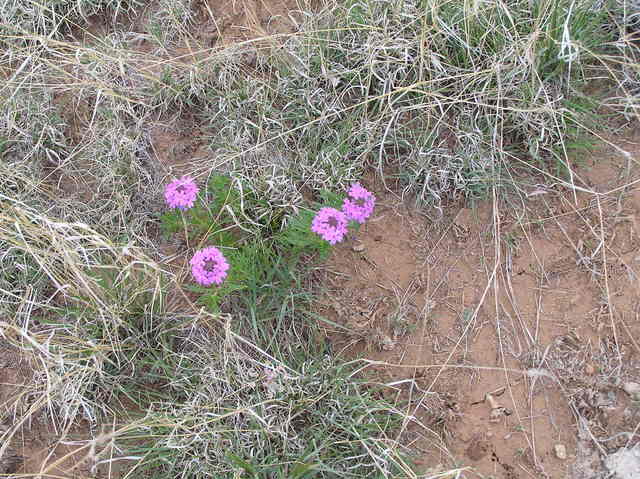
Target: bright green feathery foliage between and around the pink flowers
[260,254]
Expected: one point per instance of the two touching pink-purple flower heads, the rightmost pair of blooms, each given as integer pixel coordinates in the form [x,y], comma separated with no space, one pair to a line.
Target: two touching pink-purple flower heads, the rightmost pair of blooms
[331,224]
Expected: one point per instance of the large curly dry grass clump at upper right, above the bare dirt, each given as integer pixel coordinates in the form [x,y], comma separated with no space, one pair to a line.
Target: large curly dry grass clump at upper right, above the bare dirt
[453,94]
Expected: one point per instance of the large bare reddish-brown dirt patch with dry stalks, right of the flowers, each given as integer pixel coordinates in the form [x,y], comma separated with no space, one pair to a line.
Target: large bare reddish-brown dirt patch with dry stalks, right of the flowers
[544,320]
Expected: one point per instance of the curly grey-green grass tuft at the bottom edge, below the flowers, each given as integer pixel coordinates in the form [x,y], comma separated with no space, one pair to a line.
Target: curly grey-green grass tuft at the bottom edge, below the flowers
[254,415]
